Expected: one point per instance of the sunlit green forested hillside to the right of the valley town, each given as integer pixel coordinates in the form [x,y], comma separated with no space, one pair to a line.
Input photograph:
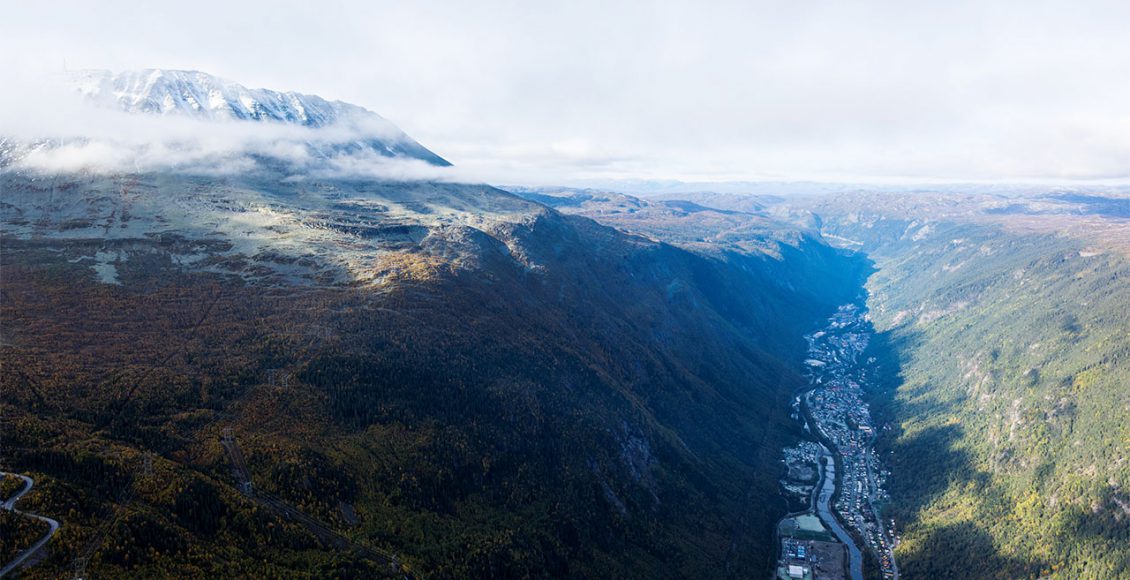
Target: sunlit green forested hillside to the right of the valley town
[1011,425]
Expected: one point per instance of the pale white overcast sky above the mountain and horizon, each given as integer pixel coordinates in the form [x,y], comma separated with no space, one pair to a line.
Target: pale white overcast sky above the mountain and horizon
[567,92]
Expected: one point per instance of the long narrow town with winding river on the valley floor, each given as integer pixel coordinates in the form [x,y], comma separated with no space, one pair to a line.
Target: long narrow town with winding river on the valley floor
[833,521]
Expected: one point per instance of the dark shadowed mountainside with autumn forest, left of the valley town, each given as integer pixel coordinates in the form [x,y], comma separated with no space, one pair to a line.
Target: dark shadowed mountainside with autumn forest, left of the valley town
[521,396]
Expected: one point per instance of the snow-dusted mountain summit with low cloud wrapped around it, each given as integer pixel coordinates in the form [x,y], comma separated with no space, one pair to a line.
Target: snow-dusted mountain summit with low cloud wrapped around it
[192,122]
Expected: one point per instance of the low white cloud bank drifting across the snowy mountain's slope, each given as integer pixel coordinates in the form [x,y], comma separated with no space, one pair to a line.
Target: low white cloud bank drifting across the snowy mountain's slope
[50,128]
